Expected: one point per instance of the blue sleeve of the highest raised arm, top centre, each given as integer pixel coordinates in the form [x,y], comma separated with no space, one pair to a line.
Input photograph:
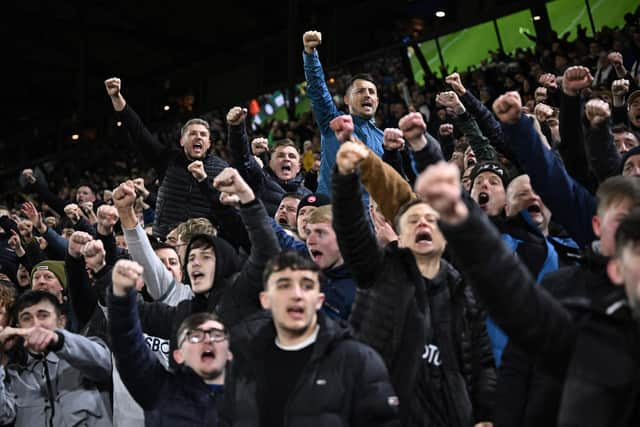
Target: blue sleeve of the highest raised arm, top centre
[322,103]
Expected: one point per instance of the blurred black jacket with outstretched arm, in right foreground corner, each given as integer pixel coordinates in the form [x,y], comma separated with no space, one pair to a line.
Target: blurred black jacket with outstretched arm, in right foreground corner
[586,339]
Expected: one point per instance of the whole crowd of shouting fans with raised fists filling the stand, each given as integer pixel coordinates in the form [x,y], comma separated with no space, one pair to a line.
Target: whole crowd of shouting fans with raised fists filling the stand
[463,253]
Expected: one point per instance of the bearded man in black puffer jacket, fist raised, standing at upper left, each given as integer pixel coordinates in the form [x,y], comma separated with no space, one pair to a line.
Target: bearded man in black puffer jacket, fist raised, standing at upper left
[186,190]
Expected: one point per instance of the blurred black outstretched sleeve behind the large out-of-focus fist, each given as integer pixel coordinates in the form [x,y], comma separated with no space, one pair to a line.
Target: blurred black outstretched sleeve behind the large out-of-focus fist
[528,314]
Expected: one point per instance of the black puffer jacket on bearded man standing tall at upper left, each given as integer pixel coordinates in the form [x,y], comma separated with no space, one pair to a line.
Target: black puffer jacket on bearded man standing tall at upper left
[180,196]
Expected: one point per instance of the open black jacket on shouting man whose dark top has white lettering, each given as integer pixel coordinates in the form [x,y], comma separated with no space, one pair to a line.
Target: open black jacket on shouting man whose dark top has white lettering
[386,314]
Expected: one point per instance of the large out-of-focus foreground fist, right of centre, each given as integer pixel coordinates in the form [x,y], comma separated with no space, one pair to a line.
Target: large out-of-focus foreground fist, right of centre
[439,185]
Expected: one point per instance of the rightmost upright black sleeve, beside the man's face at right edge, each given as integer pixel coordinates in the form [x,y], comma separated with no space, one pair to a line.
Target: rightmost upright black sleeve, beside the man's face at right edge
[602,152]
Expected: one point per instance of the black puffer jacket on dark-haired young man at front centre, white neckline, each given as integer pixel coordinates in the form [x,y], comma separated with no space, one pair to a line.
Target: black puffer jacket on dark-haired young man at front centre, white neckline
[345,383]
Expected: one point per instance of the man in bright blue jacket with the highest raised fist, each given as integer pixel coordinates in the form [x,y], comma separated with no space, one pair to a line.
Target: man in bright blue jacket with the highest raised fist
[361,100]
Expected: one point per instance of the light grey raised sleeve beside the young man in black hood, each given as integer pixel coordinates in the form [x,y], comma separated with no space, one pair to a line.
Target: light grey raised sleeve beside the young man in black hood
[160,283]
